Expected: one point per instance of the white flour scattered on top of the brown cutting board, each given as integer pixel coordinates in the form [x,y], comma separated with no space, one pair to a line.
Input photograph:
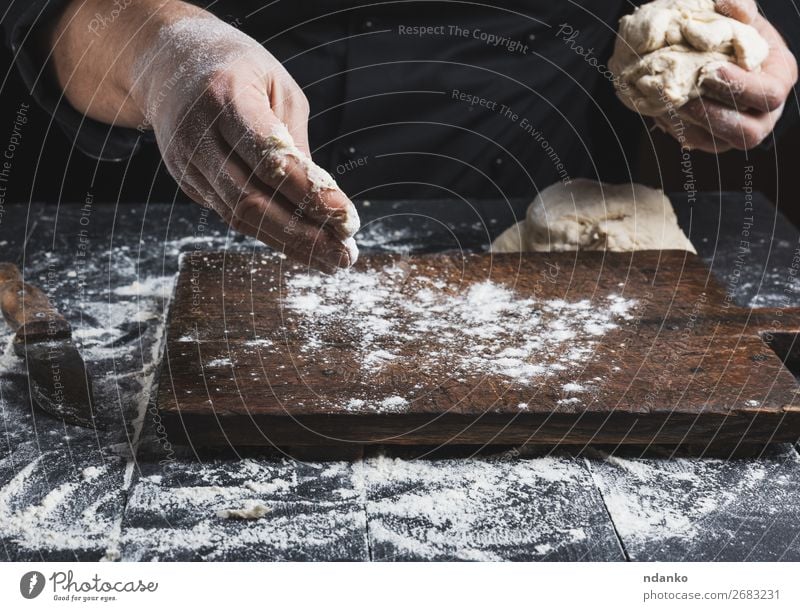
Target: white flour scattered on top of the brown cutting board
[399,321]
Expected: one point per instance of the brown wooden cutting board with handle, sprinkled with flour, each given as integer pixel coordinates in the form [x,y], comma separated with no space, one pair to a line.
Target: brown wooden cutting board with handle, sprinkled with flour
[575,348]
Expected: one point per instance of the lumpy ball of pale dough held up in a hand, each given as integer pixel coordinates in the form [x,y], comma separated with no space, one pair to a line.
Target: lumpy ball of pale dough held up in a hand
[666,49]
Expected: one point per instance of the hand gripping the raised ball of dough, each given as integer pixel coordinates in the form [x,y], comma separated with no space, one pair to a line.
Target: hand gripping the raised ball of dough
[740,108]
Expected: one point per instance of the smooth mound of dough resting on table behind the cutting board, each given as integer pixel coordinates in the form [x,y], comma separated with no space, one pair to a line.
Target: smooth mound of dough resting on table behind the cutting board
[588,215]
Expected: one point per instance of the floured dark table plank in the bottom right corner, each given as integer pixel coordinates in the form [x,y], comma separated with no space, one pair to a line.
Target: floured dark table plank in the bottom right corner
[670,505]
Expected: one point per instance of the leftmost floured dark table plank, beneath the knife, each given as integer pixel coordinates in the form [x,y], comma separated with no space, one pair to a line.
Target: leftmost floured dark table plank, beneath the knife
[63,488]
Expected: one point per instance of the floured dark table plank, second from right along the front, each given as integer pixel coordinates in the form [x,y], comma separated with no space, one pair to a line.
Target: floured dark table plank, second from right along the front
[516,505]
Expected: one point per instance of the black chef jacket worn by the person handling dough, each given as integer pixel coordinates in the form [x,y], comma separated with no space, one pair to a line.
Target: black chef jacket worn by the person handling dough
[422,98]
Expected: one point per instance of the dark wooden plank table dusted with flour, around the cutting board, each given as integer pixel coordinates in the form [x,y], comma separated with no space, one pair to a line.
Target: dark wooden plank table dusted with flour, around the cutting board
[126,493]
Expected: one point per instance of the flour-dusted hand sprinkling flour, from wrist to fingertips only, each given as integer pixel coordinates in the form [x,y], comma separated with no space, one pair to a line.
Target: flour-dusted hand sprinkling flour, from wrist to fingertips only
[232,128]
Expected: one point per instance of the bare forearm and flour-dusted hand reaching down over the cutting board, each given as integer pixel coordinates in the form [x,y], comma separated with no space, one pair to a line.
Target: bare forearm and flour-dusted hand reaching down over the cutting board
[230,122]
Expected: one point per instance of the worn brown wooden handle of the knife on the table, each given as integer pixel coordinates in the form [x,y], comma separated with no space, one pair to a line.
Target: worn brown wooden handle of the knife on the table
[27,310]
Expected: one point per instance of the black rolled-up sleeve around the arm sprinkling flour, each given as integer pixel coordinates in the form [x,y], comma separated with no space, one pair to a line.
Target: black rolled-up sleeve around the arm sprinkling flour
[22,21]
